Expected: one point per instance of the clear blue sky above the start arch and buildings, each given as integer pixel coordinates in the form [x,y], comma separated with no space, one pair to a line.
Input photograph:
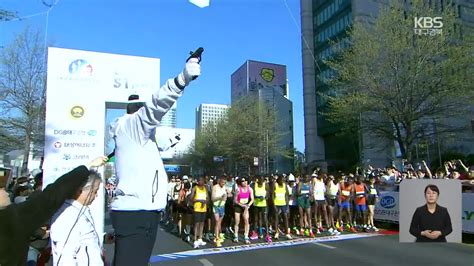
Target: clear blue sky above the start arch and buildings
[231,32]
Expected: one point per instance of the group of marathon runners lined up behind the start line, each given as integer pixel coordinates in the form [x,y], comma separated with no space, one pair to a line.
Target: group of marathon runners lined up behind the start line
[269,207]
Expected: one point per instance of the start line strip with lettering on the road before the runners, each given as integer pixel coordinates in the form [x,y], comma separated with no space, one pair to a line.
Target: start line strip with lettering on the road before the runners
[294,242]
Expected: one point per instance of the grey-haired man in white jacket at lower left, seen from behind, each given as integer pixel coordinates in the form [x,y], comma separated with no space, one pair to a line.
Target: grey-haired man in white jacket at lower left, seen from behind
[74,240]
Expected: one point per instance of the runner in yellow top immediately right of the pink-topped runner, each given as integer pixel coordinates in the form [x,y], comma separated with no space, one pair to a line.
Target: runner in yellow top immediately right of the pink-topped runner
[261,194]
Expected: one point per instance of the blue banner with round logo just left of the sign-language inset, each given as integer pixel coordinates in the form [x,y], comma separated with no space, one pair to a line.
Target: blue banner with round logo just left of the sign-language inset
[387,207]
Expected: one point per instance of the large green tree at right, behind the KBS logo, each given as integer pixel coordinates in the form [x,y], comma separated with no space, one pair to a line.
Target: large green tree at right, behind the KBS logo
[399,85]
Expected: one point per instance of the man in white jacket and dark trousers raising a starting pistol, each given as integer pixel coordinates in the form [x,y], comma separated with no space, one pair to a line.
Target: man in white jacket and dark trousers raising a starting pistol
[142,180]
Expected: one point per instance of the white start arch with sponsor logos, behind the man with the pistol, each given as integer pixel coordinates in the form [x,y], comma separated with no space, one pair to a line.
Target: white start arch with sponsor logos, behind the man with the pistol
[80,87]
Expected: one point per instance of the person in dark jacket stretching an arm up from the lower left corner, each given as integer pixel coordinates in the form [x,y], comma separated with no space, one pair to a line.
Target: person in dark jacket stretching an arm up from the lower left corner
[18,222]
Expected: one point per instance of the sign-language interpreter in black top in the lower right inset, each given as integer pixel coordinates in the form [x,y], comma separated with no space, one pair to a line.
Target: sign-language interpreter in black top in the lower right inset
[431,222]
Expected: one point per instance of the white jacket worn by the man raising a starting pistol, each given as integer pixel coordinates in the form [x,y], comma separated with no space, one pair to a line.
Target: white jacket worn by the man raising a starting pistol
[142,180]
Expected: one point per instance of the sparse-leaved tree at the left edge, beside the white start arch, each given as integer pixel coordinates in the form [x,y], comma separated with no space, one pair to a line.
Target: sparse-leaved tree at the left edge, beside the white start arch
[22,93]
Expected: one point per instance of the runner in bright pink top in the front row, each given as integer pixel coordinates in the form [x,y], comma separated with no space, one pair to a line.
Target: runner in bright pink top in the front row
[243,200]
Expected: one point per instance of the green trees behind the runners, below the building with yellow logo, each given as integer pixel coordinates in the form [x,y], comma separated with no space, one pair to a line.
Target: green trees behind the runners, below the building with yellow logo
[247,132]
